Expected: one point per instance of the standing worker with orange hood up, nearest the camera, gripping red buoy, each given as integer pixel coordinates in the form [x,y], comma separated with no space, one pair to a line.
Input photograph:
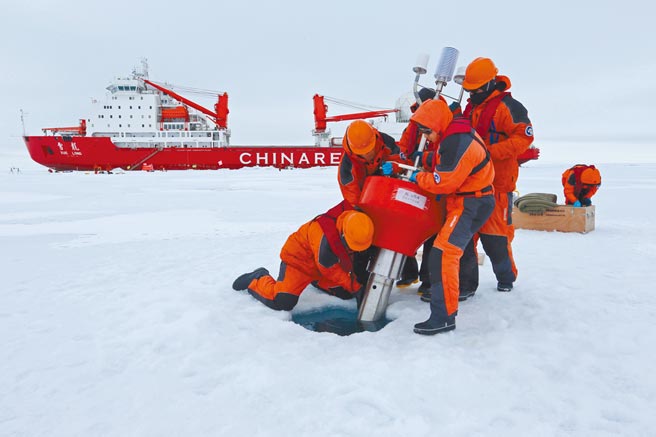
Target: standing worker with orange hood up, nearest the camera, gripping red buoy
[462,171]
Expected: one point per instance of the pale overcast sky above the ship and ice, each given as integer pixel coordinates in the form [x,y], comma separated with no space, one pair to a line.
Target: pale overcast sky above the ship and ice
[582,71]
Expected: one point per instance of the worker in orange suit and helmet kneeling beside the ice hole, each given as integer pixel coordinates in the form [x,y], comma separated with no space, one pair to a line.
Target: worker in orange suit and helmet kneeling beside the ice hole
[321,251]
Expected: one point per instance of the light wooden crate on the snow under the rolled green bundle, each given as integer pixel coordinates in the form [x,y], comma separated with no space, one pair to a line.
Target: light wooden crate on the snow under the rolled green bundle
[564,218]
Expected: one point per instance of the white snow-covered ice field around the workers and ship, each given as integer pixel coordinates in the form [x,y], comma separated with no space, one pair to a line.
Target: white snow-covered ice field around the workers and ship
[117,316]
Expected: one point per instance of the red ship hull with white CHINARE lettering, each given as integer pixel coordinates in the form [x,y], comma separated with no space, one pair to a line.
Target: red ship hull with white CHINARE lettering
[65,153]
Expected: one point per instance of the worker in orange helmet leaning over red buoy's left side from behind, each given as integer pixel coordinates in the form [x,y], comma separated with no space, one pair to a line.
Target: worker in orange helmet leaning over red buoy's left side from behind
[365,148]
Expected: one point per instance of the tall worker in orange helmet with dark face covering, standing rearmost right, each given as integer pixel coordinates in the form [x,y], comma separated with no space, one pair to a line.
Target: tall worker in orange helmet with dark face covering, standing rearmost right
[504,125]
